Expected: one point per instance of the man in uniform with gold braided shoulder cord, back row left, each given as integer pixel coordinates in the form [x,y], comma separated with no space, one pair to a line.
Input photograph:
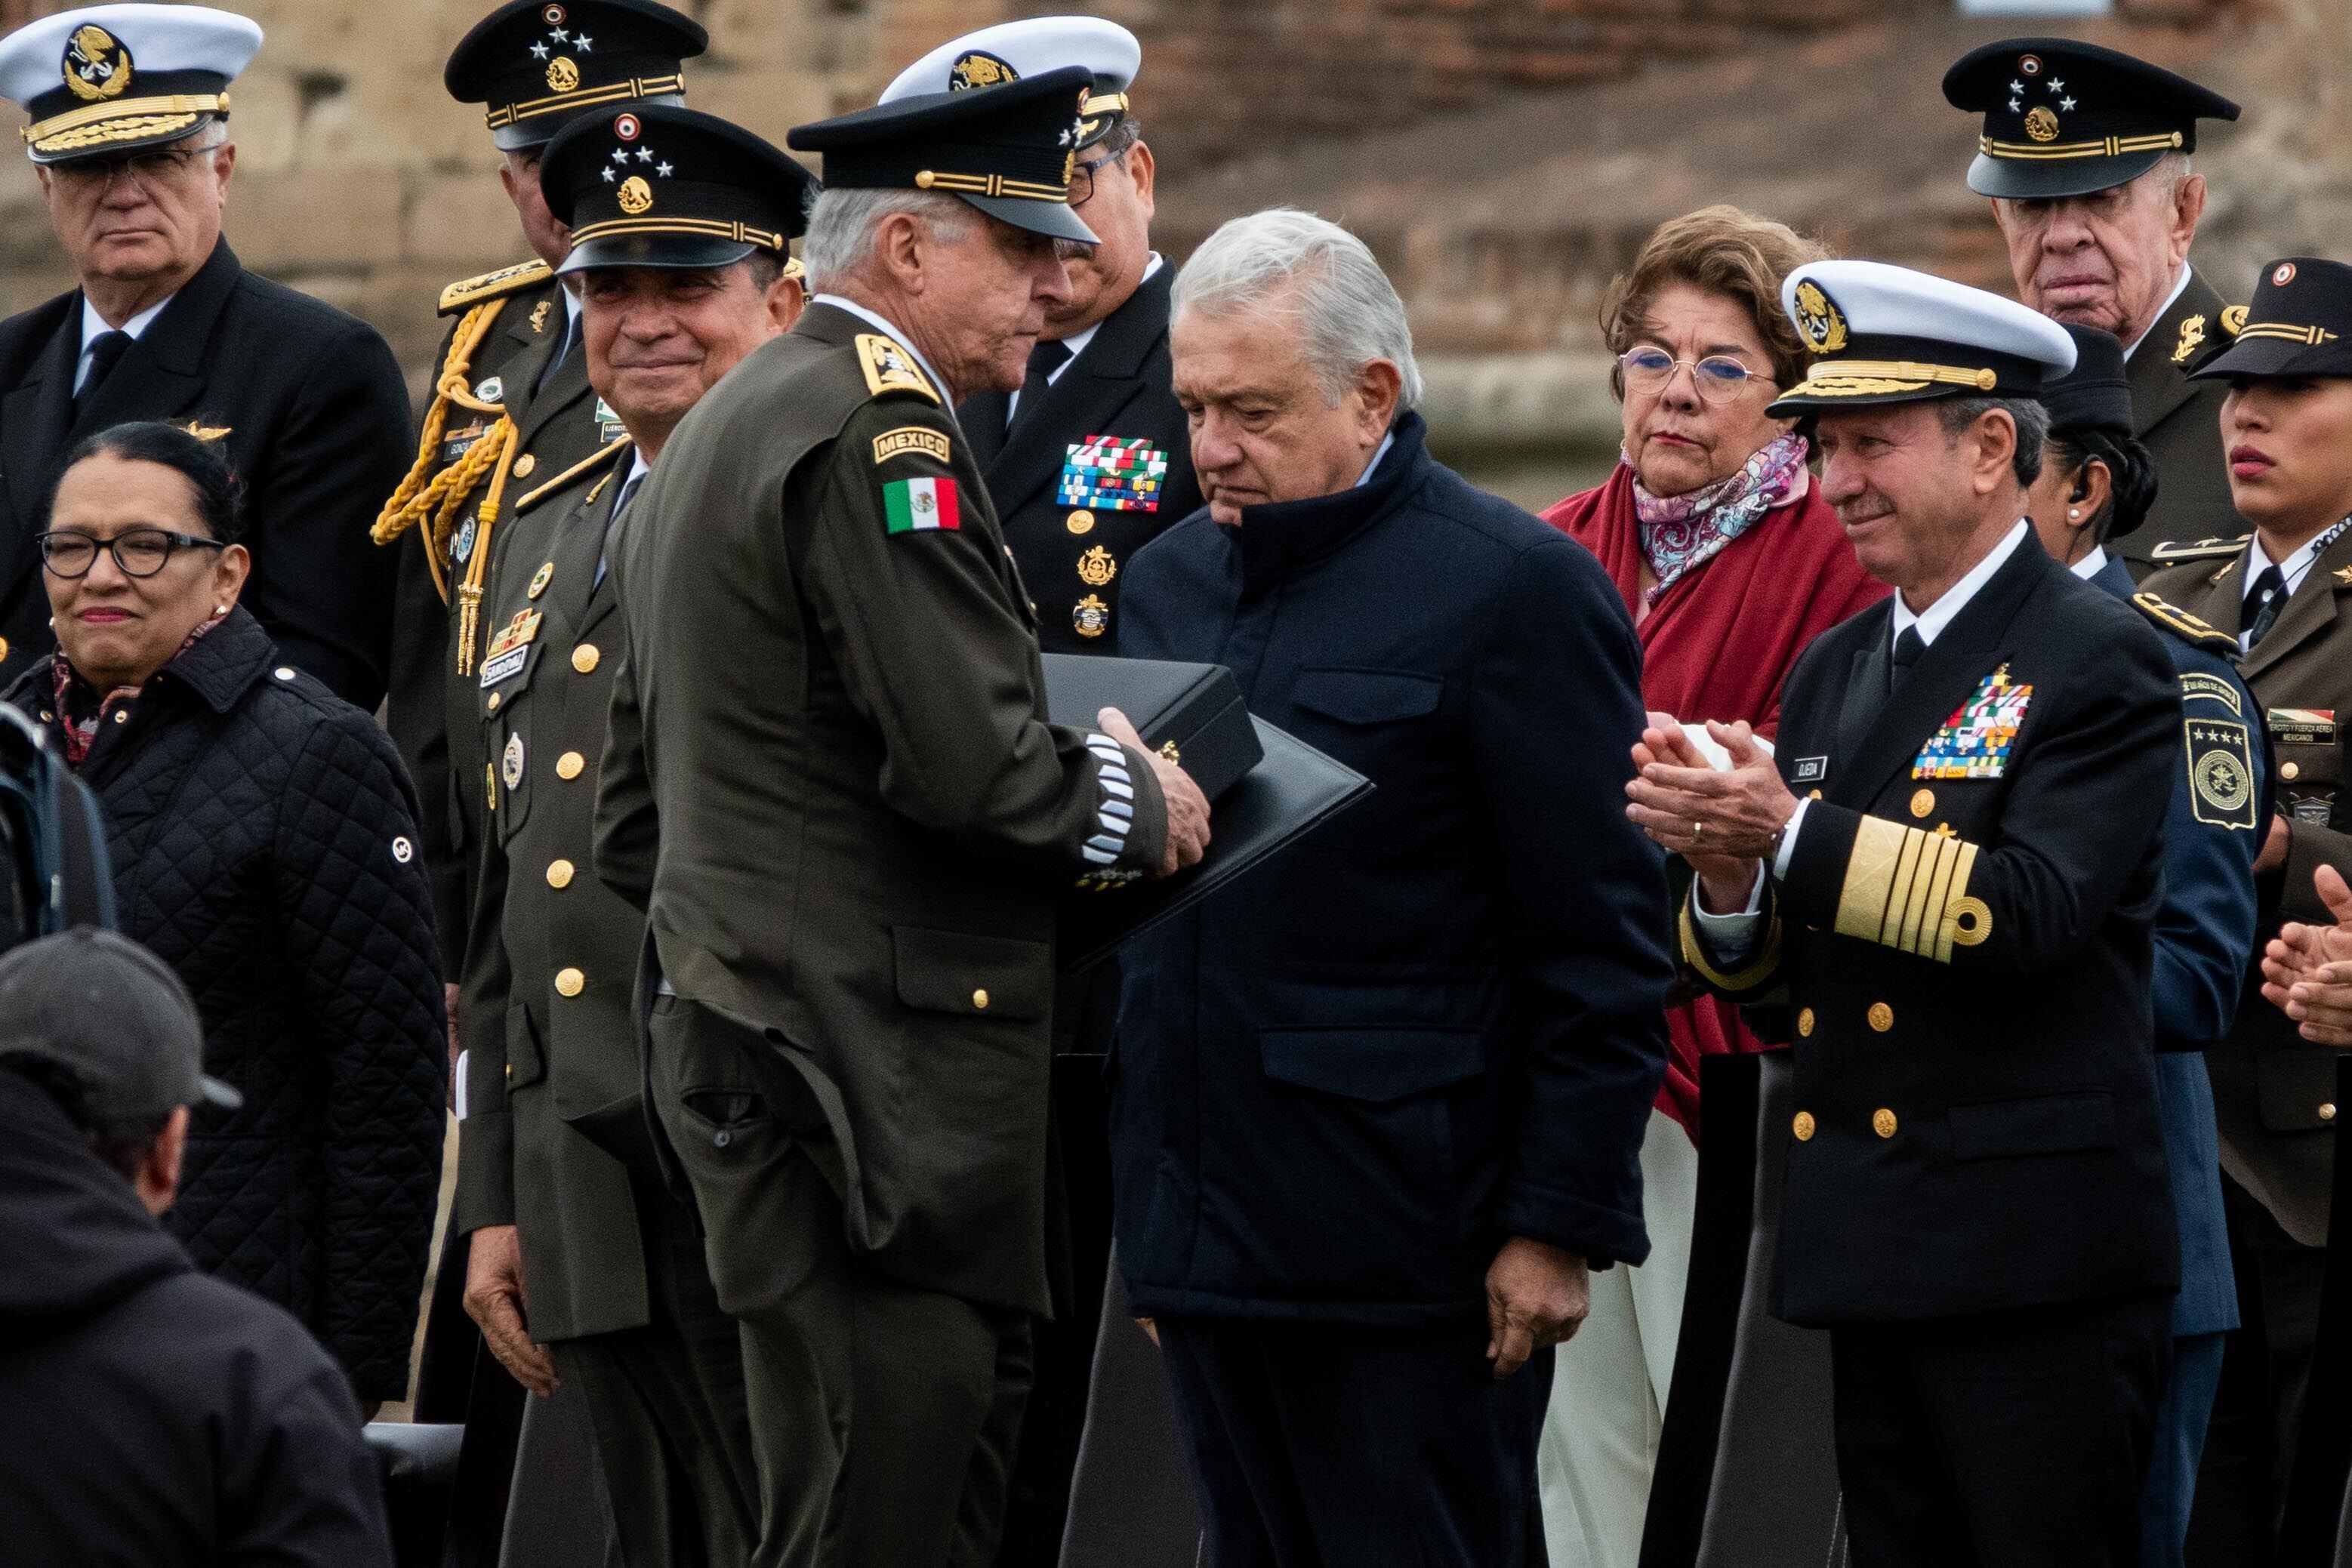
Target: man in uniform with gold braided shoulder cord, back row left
[512,403]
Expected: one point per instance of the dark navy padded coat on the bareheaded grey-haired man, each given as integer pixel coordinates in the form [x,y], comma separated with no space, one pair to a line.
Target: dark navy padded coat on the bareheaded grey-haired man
[1438,1021]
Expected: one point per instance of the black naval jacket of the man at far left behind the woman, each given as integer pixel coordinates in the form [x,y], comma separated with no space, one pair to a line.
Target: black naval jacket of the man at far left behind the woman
[316,420]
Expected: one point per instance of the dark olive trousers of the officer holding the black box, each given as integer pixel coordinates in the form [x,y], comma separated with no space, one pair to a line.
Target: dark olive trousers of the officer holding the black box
[883,1416]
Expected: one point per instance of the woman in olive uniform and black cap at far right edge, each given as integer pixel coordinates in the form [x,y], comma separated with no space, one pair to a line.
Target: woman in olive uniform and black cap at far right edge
[2287,596]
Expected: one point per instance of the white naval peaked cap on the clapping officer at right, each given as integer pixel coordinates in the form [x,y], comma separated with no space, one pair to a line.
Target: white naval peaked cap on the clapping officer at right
[1892,335]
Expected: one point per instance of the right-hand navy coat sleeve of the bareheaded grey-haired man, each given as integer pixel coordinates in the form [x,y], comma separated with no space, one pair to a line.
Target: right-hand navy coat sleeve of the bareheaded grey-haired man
[1556,709]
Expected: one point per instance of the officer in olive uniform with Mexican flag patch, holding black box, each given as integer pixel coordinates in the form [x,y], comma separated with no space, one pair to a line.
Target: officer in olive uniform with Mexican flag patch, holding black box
[834,786]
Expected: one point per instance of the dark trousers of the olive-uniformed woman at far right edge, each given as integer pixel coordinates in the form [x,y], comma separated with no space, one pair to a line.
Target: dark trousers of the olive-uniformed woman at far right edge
[2259,1409]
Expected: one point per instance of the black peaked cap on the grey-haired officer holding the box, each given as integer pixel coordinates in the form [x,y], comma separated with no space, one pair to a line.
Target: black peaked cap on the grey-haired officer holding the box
[1008,152]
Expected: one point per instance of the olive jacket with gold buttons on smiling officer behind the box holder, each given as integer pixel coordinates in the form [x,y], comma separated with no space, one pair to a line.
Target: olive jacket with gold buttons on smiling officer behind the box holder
[552,1043]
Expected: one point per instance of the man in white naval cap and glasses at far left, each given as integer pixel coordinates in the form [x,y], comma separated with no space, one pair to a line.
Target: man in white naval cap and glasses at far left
[131,147]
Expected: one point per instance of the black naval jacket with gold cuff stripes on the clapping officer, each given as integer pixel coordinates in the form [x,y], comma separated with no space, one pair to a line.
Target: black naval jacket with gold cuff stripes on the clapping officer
[1970,960]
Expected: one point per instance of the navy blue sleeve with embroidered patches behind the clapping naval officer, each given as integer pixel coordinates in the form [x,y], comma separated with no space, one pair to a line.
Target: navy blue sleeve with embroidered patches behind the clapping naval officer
[2205,932]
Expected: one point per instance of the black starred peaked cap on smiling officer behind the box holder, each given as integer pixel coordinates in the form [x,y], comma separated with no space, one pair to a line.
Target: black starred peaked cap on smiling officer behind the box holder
[671,187]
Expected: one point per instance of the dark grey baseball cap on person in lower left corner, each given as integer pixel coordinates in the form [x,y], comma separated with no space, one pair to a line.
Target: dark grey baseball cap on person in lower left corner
[114,1017]
